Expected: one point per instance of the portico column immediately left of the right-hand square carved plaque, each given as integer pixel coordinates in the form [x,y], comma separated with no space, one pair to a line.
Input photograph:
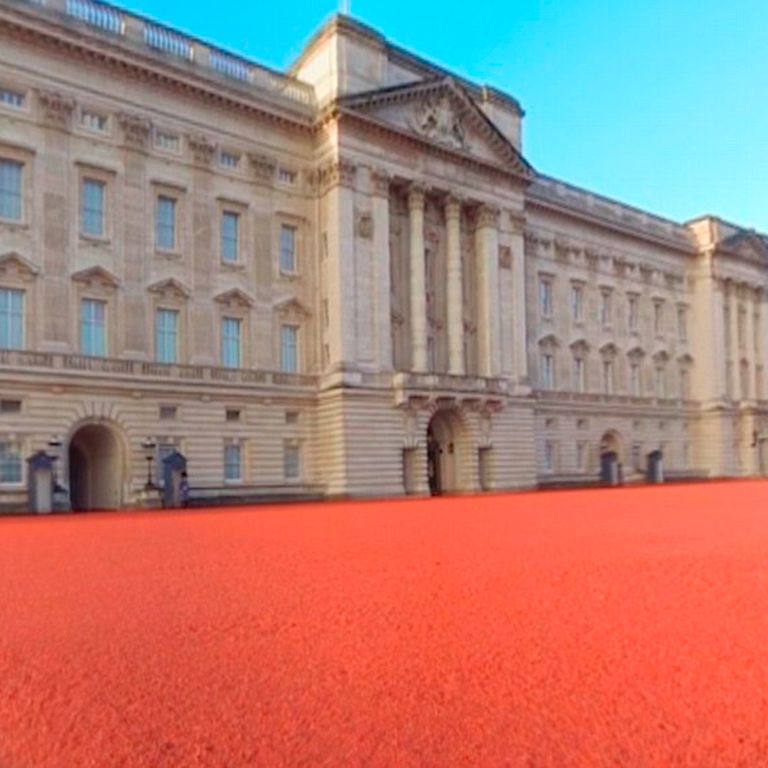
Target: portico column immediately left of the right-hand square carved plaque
[489,318]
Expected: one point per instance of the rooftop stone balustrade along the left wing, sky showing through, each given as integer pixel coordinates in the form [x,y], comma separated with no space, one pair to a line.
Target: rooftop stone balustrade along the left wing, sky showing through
[157,40]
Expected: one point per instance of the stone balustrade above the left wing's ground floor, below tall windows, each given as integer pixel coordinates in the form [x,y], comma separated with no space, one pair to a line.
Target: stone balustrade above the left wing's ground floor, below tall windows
[139,369]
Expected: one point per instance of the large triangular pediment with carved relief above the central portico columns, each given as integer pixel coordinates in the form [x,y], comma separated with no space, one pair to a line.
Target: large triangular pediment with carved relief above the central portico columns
[439,112]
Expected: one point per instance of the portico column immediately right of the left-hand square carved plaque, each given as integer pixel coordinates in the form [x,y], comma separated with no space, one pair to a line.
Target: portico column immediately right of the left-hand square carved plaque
[381,255]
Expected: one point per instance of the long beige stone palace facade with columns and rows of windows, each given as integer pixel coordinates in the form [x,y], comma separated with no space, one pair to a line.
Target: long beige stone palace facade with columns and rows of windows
[341,281]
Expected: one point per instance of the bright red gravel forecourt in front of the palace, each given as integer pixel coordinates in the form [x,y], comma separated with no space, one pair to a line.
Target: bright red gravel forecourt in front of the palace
[622,627]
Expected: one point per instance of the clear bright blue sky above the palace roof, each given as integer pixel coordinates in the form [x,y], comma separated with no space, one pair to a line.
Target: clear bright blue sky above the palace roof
[658,103]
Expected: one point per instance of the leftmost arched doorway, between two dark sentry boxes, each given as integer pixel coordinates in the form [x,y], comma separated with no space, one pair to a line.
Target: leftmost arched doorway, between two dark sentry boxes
[96,468]
